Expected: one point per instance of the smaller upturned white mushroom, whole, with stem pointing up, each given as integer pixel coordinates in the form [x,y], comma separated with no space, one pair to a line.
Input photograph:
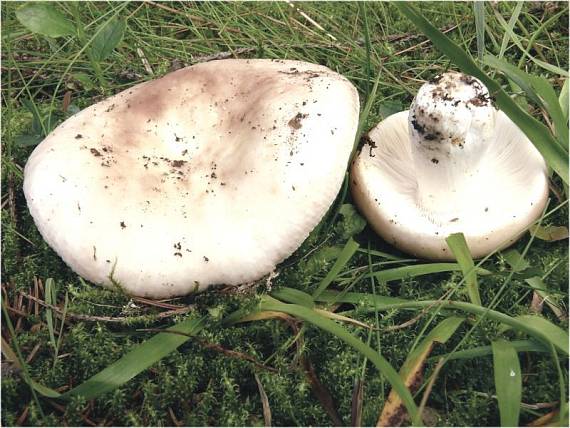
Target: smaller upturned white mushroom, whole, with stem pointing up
[451,164]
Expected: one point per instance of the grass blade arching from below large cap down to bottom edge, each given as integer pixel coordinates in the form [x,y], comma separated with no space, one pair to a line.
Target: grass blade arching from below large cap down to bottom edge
[332,327]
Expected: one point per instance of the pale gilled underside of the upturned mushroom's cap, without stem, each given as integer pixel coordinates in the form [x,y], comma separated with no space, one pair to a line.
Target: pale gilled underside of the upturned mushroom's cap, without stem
[507,189]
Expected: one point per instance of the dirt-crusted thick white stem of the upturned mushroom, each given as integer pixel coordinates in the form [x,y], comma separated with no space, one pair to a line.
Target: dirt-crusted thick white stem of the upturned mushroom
[451,125]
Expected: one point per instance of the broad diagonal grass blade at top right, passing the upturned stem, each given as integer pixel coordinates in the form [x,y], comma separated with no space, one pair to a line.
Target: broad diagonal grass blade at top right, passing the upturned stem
[536,132]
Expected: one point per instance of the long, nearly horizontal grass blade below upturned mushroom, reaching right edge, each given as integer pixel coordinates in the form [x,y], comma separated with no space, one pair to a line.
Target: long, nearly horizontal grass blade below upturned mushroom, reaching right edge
[537,327]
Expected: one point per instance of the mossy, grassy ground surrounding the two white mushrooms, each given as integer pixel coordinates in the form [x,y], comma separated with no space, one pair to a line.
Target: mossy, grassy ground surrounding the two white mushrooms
[308,376]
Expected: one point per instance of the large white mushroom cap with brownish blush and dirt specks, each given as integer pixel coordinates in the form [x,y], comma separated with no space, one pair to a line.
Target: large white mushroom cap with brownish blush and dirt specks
[210,175]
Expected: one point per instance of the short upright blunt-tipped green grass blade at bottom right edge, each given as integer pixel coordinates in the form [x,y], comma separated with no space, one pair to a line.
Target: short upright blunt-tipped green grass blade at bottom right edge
[508,382]
